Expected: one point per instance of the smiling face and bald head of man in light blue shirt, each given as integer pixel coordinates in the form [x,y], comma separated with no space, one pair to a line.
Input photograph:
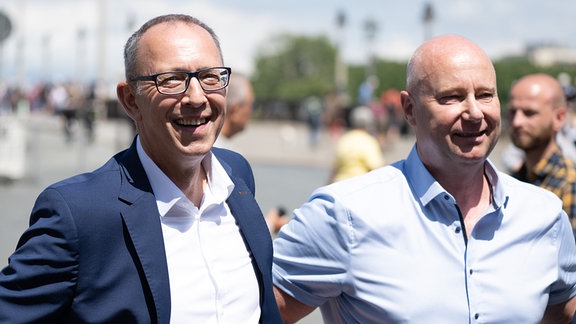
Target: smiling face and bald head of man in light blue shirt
[453,104]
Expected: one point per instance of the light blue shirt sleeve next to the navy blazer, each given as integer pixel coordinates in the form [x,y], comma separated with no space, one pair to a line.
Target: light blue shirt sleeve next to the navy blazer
[311,252]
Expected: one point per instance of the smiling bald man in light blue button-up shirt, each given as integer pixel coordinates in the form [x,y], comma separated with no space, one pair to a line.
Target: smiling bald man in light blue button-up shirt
[440,237]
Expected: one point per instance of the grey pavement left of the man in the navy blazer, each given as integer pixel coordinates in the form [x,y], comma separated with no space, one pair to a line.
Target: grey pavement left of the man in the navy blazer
[48,158]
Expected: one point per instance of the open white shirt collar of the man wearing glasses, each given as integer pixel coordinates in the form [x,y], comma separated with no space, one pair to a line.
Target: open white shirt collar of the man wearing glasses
[168,195]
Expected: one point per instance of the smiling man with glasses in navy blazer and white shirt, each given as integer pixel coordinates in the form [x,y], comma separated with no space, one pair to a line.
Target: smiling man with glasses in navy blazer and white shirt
[167,230]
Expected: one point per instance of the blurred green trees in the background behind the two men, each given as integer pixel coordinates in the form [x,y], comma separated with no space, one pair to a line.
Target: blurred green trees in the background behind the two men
[290,68]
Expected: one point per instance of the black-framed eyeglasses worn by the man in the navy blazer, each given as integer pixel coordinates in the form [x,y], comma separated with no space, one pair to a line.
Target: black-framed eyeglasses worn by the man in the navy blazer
[177,82]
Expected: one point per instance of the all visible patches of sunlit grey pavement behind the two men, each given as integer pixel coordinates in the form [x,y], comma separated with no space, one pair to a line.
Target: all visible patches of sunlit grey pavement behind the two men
[286,168]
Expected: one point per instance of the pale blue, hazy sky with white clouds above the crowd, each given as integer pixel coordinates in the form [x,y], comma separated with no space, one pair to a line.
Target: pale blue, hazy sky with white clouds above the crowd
[501,27]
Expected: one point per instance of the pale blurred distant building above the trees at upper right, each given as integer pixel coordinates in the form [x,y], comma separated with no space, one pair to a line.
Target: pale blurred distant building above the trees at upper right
[550,54]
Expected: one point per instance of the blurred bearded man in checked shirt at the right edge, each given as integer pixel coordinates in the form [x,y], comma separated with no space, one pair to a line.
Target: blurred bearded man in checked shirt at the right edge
[537,110]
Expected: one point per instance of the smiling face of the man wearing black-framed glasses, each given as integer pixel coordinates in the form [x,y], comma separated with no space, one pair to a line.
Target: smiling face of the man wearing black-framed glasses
[176,130]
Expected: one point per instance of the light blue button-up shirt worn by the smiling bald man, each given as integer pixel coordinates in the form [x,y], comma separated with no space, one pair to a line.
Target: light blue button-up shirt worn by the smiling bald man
[388,247]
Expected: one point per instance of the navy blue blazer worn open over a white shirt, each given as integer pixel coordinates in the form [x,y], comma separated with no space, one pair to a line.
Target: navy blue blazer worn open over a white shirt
[94,251]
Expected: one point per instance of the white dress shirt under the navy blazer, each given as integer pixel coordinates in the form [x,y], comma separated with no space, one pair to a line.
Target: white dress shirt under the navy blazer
[211,275]
